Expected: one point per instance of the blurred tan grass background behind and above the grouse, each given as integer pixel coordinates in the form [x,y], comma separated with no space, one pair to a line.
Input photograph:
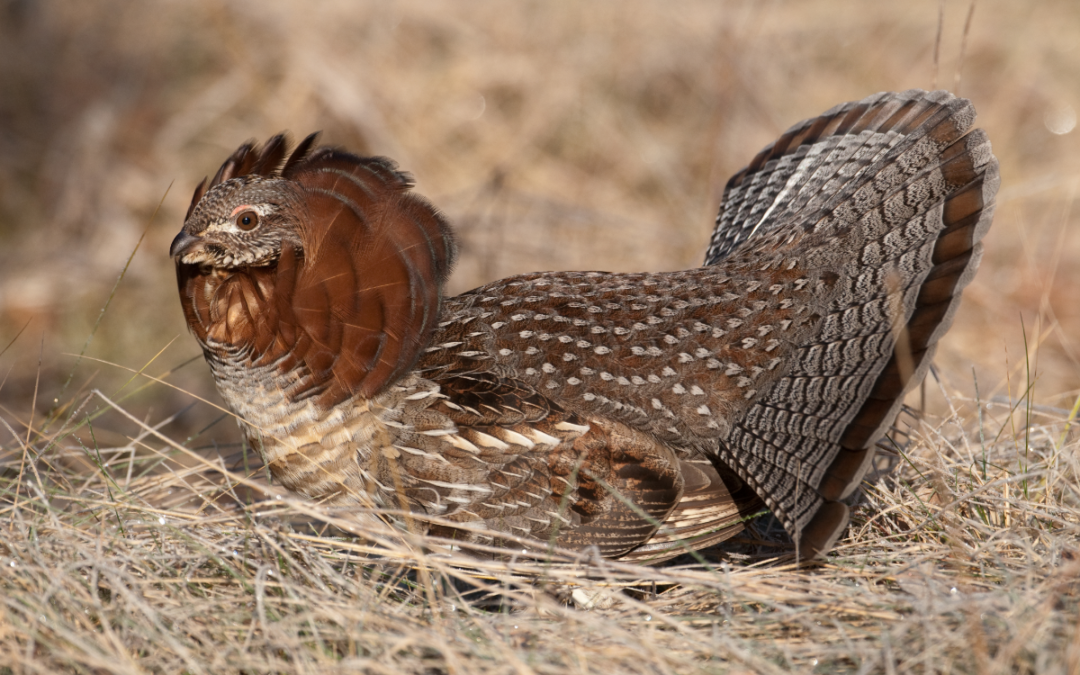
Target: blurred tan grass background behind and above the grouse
[555,136]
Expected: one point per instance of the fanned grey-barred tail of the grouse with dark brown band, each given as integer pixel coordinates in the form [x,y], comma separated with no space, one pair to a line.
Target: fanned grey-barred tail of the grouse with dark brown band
[894,197]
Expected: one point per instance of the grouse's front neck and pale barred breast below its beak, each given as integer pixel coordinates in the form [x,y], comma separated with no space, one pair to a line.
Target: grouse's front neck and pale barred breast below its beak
[318,437]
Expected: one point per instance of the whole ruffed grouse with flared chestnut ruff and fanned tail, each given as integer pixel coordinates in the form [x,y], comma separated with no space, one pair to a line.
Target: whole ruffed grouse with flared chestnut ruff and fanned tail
[636,413]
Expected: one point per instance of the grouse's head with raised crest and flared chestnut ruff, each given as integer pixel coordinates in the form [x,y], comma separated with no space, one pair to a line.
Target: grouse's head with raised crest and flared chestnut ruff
[315,261]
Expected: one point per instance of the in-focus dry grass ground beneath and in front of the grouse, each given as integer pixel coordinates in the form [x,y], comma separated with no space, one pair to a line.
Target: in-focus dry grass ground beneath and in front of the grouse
[963,559]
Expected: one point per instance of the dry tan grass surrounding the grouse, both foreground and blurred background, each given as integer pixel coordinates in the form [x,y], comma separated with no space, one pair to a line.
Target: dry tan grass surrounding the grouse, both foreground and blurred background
[555,136]
